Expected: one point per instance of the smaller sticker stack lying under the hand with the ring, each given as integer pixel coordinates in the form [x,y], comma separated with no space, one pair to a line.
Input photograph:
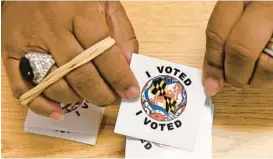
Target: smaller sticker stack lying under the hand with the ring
[81,123]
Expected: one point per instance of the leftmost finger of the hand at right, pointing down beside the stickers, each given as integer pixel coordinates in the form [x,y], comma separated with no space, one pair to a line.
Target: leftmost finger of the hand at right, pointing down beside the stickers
[224,16]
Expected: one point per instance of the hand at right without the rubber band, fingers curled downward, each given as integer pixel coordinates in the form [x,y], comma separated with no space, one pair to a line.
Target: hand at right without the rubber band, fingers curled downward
[237,34]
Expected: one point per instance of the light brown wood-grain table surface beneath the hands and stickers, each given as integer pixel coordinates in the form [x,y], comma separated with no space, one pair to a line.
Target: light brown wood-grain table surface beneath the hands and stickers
[174,31]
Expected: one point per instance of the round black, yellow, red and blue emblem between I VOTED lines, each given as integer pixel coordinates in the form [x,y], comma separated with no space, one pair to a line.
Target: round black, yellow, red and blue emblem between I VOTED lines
[163,98]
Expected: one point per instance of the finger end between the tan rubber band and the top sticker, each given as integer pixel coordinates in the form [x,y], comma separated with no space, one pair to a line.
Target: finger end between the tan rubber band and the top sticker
[114,68]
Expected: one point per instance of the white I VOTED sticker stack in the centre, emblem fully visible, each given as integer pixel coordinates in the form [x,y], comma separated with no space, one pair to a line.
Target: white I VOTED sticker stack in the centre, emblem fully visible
[172,118]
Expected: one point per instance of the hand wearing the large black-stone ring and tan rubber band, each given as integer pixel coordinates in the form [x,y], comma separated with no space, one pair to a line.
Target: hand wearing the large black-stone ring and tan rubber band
[65,29]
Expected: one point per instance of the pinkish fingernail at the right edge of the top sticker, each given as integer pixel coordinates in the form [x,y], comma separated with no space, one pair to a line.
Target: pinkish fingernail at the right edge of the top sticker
[211,86]
